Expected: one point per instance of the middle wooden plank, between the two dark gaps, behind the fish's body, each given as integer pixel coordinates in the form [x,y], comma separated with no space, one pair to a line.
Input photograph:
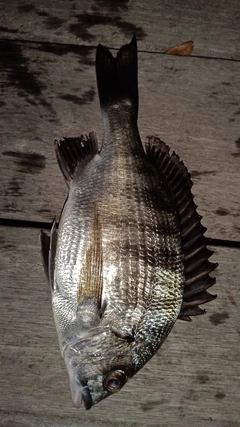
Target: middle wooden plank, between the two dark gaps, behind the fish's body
[49,91]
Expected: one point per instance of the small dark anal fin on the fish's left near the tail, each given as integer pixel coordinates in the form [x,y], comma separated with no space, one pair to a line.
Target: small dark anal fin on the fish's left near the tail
[71,152]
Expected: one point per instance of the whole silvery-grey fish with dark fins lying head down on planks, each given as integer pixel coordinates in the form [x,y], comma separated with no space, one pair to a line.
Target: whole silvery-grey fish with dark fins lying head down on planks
[129,256]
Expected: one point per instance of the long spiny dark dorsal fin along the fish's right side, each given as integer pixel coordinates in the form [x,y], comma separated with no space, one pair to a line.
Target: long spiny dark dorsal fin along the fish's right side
[196,254]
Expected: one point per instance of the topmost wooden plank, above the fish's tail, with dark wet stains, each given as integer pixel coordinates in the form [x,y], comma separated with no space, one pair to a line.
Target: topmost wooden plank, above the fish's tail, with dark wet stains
[214,26]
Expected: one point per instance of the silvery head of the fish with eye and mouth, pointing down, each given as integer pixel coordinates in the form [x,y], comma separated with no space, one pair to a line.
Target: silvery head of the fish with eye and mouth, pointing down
[98,365]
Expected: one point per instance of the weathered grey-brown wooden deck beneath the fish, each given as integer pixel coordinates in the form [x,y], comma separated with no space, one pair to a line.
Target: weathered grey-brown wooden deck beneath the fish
[48,90]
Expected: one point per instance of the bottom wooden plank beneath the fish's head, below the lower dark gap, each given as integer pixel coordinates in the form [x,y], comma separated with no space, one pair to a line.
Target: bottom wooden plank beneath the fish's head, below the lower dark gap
[193,379]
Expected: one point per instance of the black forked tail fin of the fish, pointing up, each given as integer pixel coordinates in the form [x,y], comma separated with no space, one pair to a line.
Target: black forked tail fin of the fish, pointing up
[117,77]
